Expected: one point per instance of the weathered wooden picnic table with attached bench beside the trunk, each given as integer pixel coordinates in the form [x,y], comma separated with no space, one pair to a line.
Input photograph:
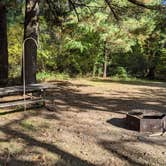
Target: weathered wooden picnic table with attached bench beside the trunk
[35,94]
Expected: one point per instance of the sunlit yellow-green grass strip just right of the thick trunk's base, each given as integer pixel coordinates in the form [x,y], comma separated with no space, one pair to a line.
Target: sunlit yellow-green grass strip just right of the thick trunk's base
[51,76]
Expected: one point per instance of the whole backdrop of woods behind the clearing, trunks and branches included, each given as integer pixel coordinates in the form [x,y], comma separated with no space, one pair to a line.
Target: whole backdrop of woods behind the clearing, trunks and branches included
[103,38]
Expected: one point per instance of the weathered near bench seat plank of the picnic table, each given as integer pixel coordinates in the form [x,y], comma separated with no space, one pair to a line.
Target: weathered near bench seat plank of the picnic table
[18,103]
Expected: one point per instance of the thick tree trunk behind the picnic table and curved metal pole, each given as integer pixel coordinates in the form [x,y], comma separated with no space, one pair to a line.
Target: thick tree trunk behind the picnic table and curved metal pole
[31,26]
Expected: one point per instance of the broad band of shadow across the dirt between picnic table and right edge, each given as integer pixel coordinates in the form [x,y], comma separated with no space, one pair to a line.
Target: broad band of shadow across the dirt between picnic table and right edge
[67,96]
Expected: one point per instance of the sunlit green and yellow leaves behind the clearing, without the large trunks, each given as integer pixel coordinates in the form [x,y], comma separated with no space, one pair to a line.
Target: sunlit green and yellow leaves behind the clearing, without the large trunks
[135,43]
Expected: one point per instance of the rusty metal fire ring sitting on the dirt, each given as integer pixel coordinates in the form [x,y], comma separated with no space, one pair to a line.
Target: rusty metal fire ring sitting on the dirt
[146,122]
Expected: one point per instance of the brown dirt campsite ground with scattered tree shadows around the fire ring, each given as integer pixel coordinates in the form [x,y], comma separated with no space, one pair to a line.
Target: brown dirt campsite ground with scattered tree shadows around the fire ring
[84,126]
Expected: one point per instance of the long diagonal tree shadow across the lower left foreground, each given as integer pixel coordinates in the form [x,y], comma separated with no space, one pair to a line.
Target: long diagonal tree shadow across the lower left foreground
[13,159]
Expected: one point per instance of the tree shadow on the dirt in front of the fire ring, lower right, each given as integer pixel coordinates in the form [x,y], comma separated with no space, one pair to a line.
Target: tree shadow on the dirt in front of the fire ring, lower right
[124,149]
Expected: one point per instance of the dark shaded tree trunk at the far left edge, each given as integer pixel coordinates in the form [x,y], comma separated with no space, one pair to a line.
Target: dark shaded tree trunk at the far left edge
[3,45]
